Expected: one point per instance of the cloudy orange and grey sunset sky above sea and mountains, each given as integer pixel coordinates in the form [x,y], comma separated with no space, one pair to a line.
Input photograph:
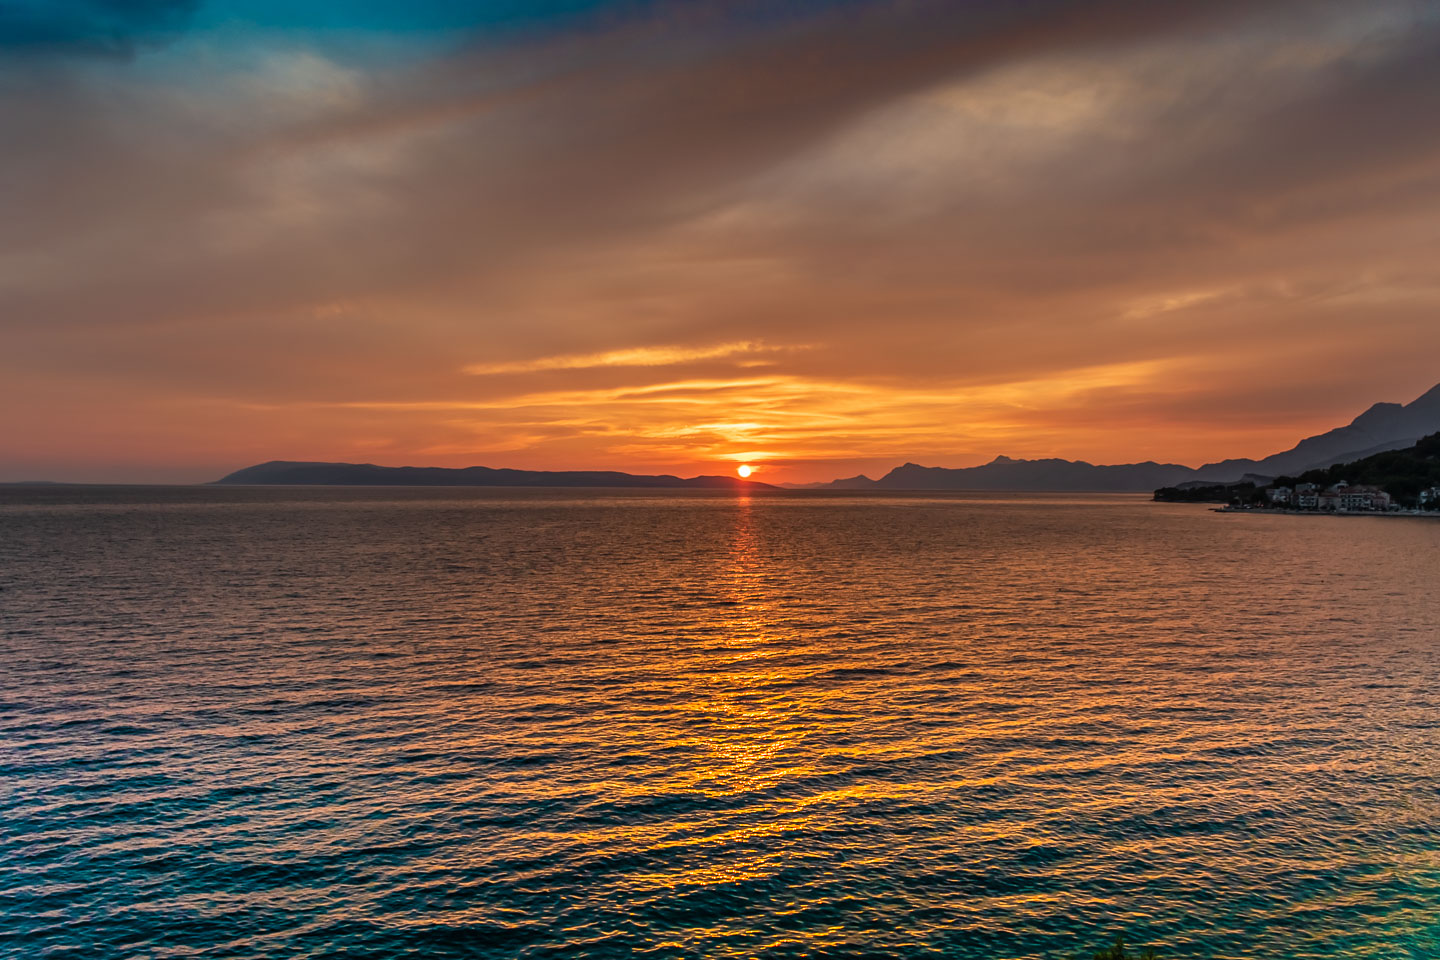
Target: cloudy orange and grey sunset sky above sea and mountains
[823,238]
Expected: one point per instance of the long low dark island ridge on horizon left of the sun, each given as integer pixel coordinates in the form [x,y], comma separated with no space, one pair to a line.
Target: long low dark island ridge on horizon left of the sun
[300,473]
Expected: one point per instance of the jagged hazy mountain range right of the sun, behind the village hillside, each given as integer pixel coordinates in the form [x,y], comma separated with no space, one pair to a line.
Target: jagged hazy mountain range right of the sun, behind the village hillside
[1385,427]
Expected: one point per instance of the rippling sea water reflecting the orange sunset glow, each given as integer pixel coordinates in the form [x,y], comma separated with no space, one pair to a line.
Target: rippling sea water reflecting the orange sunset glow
[368,723]
